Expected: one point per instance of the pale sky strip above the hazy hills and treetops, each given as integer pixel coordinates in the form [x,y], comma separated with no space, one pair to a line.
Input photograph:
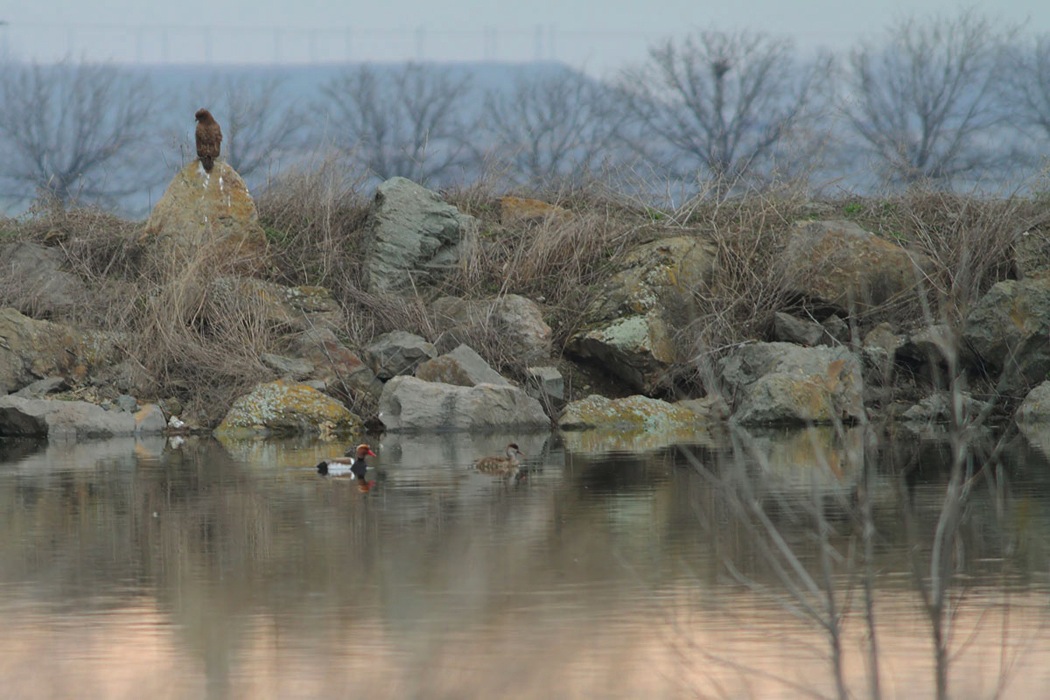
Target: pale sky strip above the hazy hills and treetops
[586,34]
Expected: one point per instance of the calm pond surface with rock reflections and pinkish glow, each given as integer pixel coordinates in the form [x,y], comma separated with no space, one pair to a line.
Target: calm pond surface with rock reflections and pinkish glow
[133,569]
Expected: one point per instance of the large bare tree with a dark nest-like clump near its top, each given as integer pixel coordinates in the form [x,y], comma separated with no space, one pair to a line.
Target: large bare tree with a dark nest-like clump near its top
[722,103]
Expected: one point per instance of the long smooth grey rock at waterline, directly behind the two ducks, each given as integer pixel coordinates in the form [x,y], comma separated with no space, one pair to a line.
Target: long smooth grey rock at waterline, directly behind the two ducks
[410,405]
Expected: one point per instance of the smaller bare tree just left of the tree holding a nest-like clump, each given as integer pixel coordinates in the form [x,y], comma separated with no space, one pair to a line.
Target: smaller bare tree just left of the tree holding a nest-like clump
[554,126]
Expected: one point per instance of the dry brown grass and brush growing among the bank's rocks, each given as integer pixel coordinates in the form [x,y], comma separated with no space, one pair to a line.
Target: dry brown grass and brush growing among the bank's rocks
[204,348]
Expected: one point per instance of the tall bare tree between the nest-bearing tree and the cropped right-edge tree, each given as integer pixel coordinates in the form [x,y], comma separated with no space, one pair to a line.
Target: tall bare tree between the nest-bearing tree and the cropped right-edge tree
[923,103]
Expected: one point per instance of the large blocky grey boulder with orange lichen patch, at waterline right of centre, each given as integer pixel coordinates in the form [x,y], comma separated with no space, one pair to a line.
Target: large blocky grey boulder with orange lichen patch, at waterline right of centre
[785,385]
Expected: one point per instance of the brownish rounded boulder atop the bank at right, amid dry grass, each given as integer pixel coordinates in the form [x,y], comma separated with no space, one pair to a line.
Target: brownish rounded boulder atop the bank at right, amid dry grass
[841,264]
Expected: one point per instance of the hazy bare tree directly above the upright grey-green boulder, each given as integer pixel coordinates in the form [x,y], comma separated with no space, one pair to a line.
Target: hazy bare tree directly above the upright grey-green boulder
[408,122]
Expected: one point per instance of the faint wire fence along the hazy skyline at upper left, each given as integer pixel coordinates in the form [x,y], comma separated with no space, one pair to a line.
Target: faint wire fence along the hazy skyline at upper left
[155,44]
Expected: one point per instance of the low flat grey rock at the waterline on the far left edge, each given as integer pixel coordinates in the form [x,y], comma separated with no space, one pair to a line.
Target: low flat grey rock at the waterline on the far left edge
[74,419]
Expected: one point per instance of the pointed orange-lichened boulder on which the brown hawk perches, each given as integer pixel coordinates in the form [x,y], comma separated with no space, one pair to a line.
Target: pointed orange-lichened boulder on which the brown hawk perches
[211,215]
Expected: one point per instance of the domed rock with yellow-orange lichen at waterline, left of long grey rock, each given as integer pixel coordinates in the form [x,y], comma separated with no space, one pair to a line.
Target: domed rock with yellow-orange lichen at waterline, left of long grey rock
[286,409]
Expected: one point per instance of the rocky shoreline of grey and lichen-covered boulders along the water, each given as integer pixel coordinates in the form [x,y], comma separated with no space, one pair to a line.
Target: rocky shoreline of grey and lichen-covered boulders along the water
[853,337]
